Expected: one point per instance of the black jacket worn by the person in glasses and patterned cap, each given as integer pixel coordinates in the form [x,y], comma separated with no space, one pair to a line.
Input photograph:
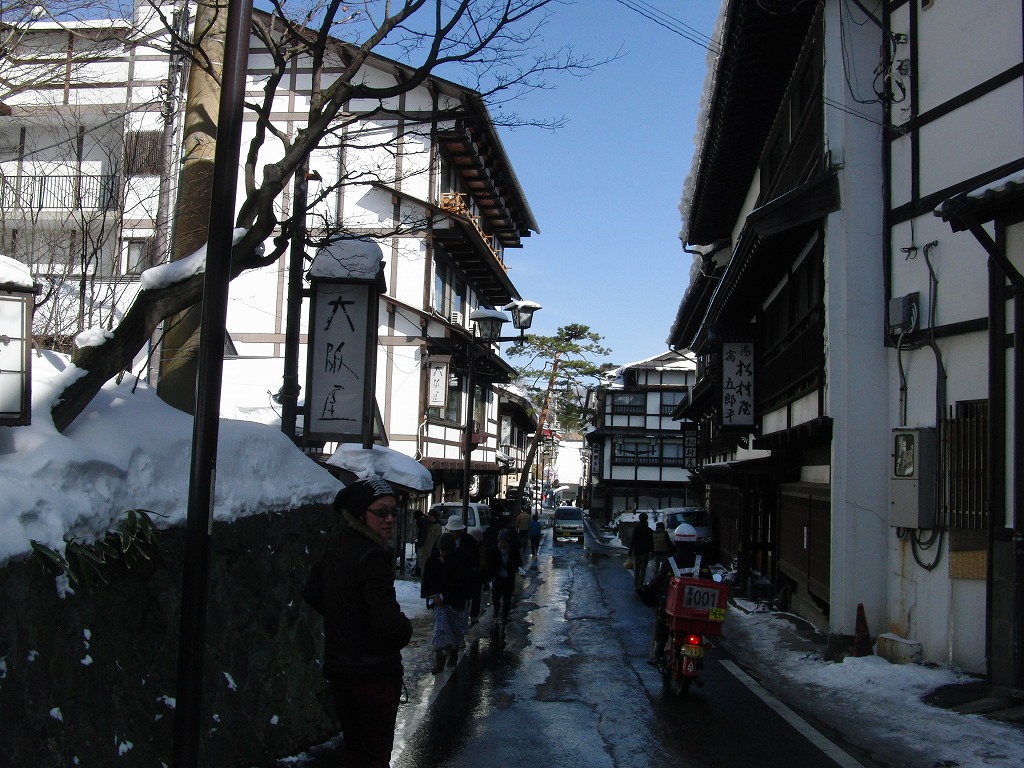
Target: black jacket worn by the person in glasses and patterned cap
[364,627]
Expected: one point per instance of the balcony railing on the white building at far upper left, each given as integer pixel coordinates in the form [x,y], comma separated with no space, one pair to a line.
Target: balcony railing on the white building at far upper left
[79,193]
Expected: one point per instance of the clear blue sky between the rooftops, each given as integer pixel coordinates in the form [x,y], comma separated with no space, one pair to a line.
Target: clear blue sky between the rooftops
[606,189]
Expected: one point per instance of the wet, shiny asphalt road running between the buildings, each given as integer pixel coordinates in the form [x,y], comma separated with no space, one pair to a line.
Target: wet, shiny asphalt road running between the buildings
[568,685]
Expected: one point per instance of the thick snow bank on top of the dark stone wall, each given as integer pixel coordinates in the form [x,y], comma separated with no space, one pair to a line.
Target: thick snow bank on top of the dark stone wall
[132,451]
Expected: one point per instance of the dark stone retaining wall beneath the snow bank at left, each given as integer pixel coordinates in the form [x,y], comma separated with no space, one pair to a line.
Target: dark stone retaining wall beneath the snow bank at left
[90,679]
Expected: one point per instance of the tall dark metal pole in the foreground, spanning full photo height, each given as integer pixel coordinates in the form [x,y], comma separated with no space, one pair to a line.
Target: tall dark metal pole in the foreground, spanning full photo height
[206,426]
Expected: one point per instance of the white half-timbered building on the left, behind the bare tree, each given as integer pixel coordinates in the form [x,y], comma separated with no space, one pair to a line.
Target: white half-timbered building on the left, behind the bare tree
[87,168]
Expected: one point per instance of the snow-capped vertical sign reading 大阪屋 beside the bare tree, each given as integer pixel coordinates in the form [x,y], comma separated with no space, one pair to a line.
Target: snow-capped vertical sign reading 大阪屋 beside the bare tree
[342,357]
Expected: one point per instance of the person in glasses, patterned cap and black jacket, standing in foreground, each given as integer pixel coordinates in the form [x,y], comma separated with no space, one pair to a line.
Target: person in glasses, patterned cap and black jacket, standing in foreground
[364,627]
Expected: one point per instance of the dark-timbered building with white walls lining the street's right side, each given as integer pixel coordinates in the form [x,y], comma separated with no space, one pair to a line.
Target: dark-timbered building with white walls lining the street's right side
[883,343]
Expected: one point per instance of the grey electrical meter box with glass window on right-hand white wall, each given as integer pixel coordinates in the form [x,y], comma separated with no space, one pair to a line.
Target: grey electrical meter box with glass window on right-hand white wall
[912,481]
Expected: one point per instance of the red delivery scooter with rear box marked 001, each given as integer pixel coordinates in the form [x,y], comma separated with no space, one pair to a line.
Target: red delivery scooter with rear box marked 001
[695,611]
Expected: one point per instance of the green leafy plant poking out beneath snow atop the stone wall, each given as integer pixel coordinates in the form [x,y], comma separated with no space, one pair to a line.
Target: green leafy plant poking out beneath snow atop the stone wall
[133,540]
